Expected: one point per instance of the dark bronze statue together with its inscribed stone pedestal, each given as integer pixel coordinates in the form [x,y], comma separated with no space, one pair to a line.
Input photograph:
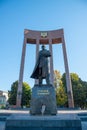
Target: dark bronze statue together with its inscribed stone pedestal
[43,99]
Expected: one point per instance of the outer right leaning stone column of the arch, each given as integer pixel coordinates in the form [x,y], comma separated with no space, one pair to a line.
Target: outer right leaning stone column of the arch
[68,79]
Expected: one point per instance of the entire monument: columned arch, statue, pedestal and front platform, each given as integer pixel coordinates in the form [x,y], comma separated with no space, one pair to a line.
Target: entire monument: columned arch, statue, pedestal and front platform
[43,111]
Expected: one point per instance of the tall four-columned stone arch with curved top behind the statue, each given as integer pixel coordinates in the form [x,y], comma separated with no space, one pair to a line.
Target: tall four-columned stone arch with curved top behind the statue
[45,37]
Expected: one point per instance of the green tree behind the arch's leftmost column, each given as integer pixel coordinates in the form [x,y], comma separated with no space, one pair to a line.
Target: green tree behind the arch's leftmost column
[26,94]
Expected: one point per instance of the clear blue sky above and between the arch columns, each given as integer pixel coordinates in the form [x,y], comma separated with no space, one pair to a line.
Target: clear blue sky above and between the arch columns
[17,15]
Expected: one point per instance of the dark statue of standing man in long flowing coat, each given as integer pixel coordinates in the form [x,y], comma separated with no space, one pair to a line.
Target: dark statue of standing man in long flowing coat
[41,70]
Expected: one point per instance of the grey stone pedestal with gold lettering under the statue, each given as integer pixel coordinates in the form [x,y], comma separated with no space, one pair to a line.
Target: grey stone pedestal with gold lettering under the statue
[43,95]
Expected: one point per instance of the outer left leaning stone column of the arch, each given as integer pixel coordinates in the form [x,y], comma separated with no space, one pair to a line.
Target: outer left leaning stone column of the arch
[19,91]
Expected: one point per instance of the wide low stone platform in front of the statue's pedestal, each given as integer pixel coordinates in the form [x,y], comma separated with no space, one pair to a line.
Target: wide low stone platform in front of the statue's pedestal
[58,122]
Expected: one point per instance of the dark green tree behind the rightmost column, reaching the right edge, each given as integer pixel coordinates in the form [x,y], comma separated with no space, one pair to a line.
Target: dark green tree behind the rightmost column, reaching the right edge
[79,88]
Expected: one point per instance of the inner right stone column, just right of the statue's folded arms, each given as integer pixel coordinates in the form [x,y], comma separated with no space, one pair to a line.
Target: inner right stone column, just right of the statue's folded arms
[51,63]
